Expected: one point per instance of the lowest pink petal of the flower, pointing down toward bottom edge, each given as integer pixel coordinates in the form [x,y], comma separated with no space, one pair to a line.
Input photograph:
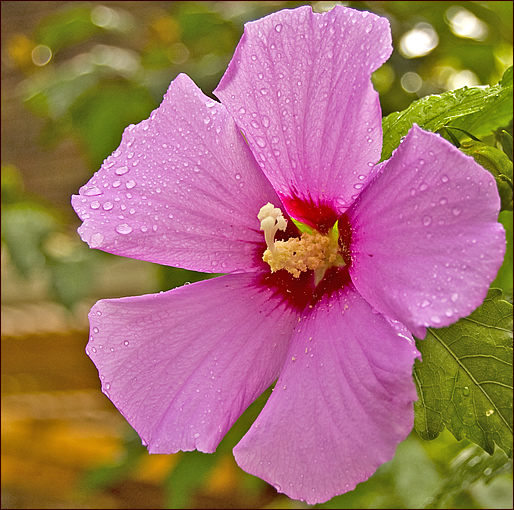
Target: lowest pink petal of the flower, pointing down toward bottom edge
[342,403]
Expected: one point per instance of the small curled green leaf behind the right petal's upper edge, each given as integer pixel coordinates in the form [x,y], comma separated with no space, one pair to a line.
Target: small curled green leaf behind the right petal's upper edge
[498,163]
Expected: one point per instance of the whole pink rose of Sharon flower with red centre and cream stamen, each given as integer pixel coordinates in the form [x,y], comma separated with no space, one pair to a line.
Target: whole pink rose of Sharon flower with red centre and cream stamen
[393,248]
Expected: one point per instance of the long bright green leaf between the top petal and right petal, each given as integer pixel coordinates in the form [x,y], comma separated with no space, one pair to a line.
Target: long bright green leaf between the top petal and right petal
[482,110]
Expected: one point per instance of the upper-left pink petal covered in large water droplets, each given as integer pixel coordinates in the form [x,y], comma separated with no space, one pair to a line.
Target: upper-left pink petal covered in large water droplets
[183,189]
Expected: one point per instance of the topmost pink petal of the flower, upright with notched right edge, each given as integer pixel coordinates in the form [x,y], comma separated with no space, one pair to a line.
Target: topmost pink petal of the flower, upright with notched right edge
[299,87]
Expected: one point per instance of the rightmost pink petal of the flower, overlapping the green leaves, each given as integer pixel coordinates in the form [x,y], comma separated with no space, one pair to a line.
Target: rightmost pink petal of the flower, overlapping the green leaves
[426,243]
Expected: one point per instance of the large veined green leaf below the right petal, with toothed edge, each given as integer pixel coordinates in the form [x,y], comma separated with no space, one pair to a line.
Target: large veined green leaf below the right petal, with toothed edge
[465,379]
